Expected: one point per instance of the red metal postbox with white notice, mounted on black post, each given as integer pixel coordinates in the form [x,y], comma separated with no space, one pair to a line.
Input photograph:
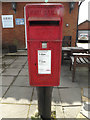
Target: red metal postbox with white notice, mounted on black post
[44,40]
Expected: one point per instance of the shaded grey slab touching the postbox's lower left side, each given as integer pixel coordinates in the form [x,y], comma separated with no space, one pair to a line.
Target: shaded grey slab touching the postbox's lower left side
[22,81]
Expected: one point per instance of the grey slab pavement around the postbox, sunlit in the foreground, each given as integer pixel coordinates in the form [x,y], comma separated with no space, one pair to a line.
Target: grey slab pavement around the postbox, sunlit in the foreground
[19,100]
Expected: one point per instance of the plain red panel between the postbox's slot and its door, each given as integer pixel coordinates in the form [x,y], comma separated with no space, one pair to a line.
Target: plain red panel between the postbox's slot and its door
[44,33]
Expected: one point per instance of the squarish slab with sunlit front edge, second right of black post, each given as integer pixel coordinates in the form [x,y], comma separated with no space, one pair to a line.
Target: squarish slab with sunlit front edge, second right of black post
[70,96]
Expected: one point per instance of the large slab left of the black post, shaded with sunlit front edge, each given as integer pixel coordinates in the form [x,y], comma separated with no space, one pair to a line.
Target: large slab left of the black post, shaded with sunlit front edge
[21,95]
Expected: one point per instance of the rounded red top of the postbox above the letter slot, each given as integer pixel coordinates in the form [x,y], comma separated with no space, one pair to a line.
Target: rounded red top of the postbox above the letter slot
[44,11]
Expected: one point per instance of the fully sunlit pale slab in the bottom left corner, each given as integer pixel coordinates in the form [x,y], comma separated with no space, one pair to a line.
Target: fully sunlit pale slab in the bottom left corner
[13,111]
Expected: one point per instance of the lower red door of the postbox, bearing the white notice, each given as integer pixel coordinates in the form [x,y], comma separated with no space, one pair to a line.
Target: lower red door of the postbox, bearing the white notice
[50,78]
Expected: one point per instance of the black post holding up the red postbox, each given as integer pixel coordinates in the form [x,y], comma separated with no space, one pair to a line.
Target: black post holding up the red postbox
[44,102]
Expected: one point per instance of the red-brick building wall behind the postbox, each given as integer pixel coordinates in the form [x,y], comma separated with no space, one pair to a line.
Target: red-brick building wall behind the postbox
[17,33]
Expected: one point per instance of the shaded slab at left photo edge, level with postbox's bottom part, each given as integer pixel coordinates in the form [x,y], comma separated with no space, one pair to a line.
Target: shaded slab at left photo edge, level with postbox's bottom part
[6,80]
